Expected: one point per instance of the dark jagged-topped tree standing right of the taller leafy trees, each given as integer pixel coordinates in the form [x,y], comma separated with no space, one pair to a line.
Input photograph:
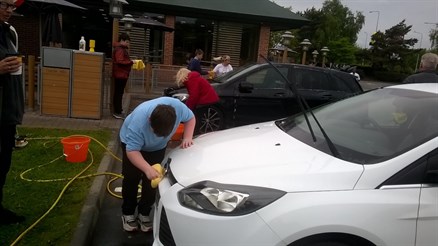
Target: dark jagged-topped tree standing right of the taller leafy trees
[390,49]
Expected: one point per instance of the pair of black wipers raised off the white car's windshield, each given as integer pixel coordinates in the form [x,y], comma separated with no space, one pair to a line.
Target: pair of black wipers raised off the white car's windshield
[302,103]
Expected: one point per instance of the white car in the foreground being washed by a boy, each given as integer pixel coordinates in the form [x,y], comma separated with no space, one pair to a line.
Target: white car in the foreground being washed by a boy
[370,177]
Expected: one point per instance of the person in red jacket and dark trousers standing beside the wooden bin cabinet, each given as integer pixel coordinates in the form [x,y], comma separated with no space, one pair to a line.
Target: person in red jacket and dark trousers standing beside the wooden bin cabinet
[122,65]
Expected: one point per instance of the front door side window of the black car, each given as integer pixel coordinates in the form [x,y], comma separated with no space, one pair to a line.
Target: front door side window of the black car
[267,78]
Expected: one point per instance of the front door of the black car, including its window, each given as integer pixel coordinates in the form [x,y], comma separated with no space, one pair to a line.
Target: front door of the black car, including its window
[261,96]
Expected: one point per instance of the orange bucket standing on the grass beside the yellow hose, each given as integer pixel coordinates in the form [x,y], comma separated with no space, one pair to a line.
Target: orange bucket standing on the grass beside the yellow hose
[75,148]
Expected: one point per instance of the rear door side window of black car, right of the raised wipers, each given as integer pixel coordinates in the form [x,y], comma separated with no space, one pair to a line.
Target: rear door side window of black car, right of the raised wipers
[313,80]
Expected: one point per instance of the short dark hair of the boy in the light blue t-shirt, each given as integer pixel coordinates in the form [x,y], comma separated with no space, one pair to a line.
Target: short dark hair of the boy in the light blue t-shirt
[163,120]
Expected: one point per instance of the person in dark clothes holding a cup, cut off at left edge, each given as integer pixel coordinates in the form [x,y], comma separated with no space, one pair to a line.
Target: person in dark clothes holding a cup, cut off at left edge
[11,101]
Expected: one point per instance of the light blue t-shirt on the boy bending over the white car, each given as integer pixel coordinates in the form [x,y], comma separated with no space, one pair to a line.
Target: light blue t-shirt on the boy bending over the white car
[136,131]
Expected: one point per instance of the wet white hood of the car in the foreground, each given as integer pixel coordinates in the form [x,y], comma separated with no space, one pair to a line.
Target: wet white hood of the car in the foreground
[261,155]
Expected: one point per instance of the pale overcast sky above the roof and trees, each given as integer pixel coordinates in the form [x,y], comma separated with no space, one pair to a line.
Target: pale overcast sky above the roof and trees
[391,12]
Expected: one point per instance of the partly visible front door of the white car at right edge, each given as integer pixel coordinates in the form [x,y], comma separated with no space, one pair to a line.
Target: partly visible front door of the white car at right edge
[427,229]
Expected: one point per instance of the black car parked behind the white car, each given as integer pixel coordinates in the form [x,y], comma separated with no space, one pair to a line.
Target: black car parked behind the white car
[257,93]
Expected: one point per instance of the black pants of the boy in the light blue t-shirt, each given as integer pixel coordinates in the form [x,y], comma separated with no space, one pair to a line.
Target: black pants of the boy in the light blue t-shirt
[131,178]
